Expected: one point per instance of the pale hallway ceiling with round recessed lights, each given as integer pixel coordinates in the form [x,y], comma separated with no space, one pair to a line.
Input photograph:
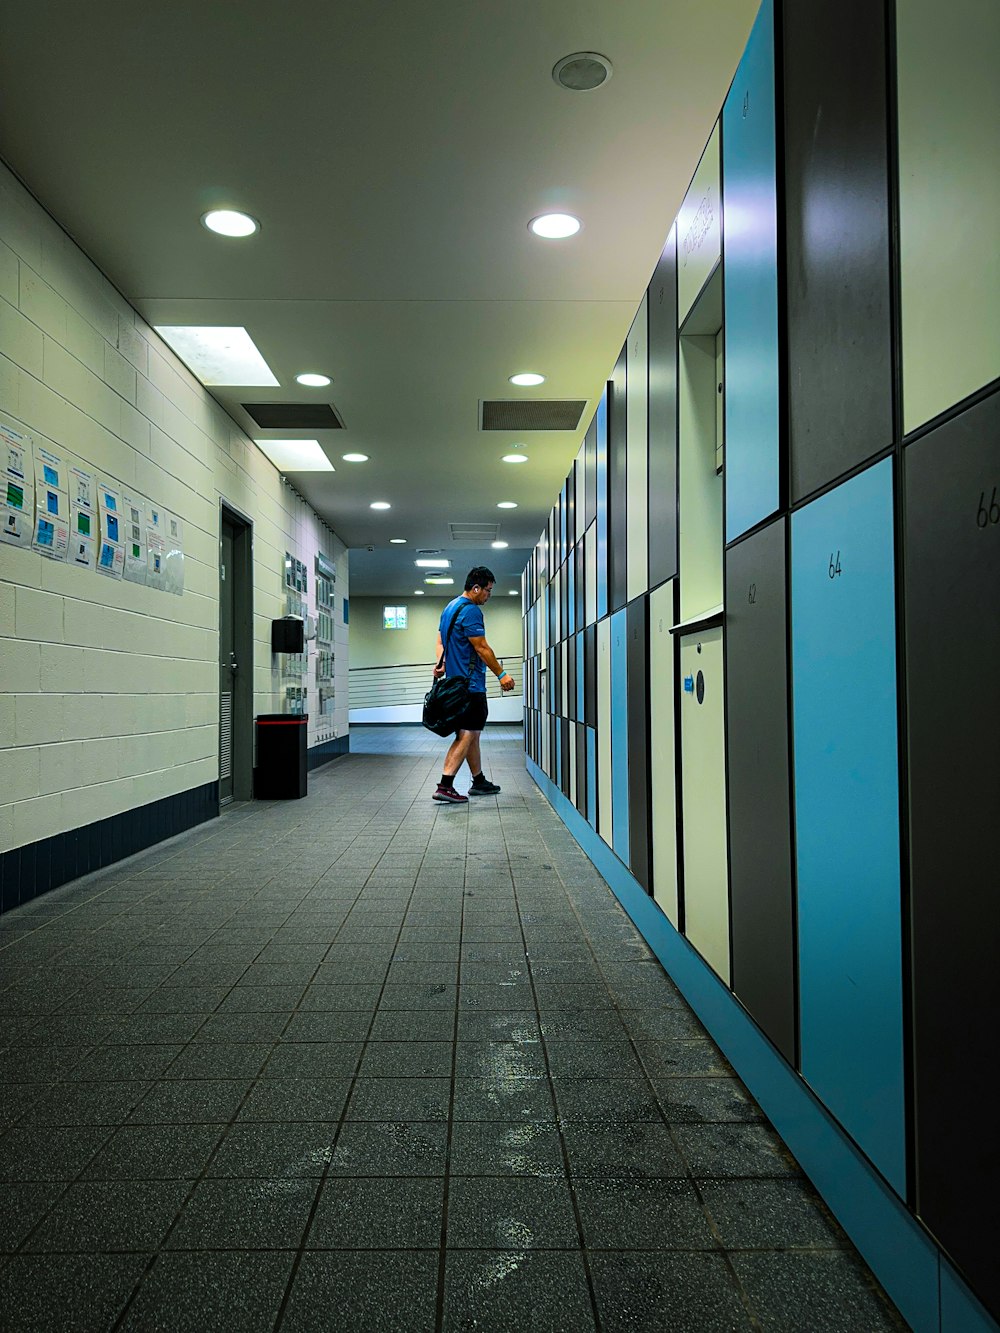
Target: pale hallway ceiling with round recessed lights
[394,155]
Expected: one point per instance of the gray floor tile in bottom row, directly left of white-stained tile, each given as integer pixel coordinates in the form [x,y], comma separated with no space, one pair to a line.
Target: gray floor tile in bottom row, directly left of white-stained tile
[371,1291]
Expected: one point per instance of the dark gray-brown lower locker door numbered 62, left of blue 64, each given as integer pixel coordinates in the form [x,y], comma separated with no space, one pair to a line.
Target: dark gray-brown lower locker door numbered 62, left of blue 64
[761,851]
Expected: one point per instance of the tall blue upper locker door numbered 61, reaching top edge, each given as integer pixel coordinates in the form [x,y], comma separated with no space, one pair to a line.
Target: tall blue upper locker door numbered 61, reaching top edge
[750,277]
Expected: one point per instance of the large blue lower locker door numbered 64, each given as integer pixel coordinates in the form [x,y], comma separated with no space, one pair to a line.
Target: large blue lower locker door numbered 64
[847,812]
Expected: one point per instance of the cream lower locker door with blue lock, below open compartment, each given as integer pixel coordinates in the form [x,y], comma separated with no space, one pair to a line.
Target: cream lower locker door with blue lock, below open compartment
[703,794]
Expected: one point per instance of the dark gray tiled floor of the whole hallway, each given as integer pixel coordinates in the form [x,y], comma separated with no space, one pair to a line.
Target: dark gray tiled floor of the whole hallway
[367,1063]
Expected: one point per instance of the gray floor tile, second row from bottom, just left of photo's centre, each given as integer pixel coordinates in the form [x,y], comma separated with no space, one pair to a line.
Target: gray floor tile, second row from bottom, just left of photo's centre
[378,1214]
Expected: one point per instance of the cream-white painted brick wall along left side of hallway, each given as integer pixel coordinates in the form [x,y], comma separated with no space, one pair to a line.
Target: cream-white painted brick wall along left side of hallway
[109,690]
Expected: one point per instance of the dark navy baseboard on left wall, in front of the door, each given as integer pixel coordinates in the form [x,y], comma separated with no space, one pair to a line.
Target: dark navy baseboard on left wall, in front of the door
[33,870]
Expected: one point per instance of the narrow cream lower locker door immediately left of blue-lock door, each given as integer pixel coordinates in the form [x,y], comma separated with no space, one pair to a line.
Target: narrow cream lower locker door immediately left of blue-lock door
[662,750]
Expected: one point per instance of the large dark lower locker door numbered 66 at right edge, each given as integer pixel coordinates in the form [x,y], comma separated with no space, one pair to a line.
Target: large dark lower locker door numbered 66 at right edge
[953,599]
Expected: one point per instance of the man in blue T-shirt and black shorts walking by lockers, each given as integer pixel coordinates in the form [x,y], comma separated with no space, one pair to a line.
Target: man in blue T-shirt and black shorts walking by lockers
[469,654]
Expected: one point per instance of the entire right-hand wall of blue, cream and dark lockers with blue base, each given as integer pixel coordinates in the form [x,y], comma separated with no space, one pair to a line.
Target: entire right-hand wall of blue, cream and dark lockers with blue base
[787,723]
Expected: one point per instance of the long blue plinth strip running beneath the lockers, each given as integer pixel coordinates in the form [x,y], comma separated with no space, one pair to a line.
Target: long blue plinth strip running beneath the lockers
[906,1260]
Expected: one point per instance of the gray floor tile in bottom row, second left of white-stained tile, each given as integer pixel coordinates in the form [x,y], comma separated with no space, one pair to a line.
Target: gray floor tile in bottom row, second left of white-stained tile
[237,1292]
